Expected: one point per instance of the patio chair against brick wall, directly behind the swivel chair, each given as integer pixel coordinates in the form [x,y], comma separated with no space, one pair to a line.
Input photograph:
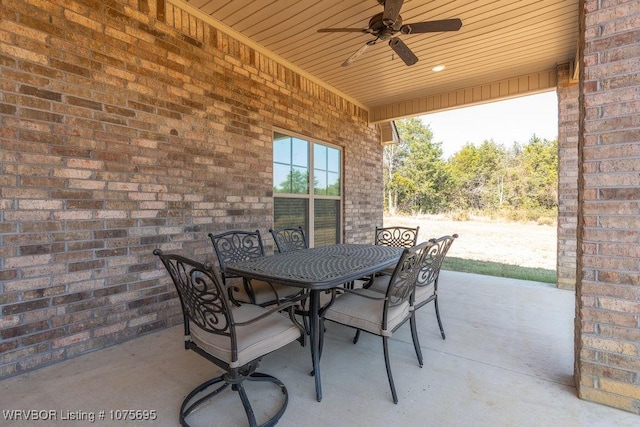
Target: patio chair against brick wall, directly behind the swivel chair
[237,245]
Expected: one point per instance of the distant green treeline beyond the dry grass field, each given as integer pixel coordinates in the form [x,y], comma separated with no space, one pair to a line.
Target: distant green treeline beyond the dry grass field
[516,180]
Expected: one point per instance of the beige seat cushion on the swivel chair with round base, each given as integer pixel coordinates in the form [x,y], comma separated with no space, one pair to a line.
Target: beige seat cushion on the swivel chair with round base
[254,340]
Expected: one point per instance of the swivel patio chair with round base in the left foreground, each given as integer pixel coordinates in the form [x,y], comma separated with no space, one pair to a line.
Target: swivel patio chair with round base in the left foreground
[233,337]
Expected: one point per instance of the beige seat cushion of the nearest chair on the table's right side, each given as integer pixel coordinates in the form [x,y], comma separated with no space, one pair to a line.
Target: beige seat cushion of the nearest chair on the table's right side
[365,313]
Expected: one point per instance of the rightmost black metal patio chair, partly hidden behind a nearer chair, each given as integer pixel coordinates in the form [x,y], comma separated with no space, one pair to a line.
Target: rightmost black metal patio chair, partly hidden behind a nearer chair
[427,282]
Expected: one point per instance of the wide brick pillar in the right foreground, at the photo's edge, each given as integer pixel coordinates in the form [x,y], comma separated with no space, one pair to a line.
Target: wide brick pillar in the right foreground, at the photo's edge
[608,300]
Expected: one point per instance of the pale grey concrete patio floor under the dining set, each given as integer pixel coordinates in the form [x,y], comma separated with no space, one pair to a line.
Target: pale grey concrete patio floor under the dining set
[507,361]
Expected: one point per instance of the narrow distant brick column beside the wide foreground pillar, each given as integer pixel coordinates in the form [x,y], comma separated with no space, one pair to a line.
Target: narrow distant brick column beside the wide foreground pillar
[568,92]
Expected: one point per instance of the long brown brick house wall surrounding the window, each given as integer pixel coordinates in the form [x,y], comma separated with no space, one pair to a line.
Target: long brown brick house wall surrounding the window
[121,133]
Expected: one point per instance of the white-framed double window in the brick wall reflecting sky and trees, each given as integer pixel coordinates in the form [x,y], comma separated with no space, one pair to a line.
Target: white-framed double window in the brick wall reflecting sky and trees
[298,162]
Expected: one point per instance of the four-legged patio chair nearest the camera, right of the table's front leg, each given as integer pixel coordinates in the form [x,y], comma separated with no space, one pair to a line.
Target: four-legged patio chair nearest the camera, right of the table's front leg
[382,314]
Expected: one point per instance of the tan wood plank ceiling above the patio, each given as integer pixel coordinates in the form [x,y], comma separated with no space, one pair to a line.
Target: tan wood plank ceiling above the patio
[499,40]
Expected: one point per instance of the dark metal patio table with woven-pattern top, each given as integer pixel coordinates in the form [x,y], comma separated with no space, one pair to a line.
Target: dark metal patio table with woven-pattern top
[318,269]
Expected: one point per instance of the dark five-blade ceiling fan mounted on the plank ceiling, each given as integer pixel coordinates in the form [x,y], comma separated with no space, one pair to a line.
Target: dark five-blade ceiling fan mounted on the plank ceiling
[385,25]
